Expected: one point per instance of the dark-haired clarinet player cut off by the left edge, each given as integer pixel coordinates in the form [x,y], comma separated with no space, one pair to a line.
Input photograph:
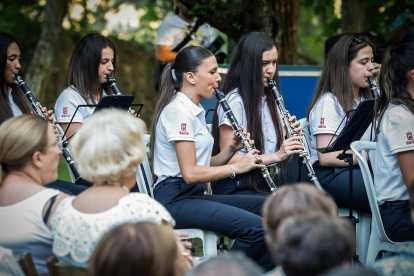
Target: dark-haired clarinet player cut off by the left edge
[12,102]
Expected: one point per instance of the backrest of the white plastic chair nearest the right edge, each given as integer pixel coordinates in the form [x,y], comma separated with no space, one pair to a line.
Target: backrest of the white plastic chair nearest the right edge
[360,148]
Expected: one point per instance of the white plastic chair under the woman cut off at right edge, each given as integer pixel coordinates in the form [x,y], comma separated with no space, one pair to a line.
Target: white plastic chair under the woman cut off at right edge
[379,241]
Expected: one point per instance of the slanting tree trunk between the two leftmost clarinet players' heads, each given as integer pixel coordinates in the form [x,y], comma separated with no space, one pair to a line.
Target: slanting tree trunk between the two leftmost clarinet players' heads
[39,70]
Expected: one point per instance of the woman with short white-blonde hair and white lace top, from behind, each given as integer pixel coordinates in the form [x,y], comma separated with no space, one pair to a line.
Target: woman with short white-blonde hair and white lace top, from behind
[107,153]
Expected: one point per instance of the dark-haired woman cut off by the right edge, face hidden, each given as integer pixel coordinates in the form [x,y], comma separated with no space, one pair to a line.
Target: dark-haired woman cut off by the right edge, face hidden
[393,171]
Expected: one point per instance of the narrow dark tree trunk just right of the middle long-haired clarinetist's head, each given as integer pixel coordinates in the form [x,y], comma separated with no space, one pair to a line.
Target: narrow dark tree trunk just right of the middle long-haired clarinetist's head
[287,14]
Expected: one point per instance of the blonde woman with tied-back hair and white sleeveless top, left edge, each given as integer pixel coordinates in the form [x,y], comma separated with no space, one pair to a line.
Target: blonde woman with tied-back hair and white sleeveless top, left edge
[29,157]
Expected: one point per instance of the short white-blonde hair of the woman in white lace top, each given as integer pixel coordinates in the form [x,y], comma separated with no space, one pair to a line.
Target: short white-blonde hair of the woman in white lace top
[109,146]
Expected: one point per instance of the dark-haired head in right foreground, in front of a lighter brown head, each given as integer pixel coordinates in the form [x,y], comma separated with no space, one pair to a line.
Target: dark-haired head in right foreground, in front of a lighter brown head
[311,244]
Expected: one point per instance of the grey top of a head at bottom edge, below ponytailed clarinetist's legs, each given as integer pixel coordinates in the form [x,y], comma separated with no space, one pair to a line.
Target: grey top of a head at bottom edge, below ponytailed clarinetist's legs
[231,264]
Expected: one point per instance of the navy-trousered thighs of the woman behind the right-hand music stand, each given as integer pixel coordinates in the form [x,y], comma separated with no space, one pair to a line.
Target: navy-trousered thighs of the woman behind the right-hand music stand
[335,181]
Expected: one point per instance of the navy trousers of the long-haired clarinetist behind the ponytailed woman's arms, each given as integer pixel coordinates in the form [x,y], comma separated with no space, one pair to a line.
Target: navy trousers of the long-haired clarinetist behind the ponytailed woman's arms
[235,186]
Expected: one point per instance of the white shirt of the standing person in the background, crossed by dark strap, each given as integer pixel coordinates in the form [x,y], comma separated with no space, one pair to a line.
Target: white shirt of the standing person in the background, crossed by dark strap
[174,29]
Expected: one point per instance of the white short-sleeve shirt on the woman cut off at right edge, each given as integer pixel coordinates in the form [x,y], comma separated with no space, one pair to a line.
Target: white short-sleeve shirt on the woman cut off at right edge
[396,135]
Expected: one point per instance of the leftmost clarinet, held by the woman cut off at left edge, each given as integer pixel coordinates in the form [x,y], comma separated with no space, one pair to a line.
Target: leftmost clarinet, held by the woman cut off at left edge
[37,109]
